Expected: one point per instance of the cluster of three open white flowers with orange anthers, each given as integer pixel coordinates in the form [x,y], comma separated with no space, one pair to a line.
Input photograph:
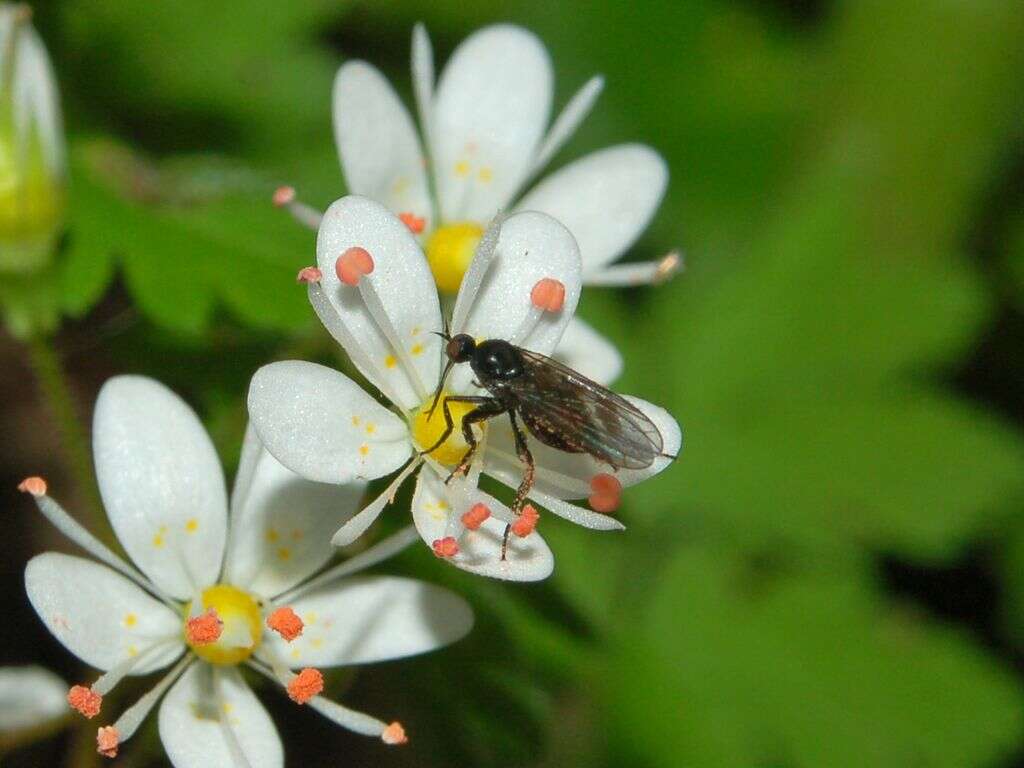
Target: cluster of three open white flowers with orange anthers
[221,582]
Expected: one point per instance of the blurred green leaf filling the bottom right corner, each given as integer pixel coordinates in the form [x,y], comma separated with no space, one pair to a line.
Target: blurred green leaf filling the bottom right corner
[798,670]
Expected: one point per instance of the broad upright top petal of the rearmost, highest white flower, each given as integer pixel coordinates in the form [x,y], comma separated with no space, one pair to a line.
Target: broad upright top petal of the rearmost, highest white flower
[490,112]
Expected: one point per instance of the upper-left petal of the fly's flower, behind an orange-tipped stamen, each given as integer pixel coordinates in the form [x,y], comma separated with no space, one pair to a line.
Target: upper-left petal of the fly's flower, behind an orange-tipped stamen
[405,285]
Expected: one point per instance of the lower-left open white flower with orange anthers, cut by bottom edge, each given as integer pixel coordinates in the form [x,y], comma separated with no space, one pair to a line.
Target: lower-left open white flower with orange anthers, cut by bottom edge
[207,596]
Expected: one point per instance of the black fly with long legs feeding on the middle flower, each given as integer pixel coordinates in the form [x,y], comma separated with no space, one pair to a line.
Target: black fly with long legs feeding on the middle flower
[560,407]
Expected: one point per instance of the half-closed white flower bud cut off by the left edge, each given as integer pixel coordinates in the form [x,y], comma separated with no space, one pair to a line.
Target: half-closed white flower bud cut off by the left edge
[32,153]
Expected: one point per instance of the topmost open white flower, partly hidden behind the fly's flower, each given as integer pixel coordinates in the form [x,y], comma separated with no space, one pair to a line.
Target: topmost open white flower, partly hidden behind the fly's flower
[484,127]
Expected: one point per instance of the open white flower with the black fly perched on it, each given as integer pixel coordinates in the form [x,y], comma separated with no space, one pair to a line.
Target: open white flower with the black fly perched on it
[374,292]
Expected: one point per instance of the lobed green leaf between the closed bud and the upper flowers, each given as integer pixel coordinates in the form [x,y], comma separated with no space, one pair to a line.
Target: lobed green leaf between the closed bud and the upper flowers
[188,241]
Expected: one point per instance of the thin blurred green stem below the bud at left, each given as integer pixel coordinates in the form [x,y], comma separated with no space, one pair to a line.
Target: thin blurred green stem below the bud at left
[54,386]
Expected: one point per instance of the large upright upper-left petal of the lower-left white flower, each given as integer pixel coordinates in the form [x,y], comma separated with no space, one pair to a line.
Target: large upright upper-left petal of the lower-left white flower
[162,484]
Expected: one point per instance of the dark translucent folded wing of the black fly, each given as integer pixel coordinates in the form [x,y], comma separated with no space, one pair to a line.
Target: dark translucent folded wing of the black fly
[567,410]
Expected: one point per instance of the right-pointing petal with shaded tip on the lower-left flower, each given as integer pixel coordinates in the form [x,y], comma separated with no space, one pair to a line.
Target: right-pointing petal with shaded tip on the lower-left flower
[364,620]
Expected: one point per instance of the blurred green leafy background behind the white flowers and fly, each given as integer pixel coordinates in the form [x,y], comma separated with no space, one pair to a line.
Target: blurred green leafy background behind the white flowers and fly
[832,575]
